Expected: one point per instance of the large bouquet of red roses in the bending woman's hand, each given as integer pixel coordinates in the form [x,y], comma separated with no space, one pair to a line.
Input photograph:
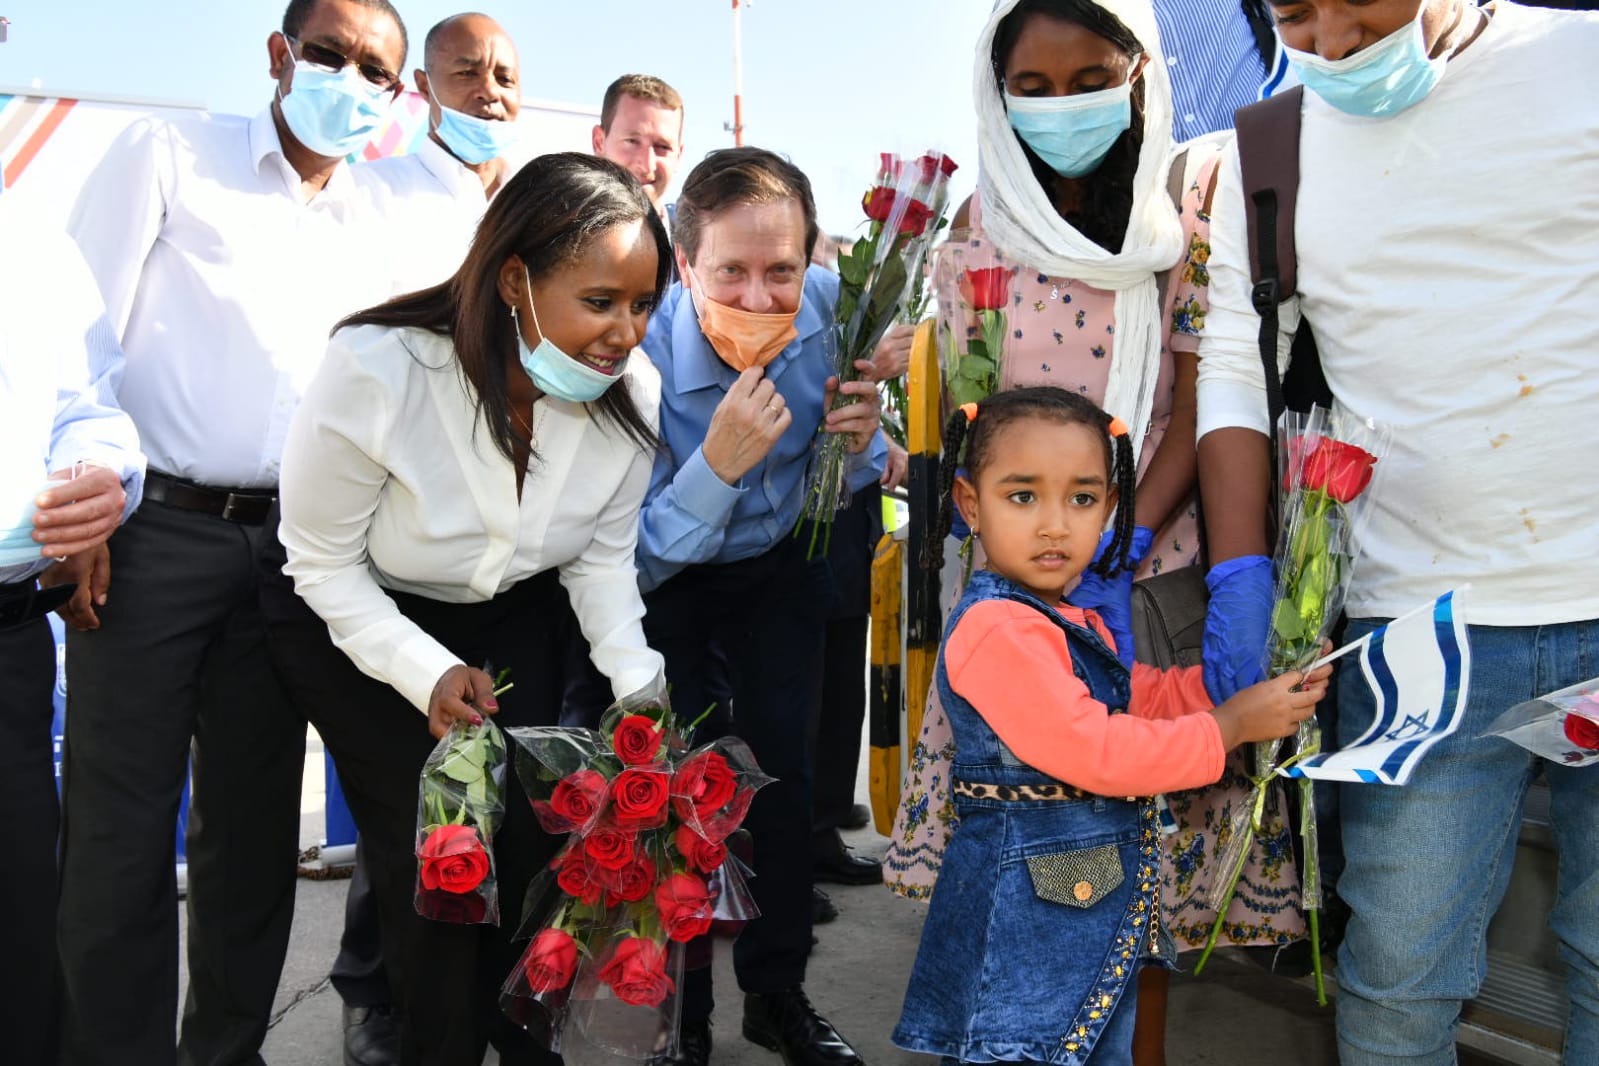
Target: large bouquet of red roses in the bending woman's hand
[645,870]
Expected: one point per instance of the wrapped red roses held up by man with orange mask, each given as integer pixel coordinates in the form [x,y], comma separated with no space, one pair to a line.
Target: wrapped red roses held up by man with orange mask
[904,212]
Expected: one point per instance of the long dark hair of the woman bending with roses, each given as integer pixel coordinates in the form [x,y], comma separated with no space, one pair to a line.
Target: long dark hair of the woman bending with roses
[549,215]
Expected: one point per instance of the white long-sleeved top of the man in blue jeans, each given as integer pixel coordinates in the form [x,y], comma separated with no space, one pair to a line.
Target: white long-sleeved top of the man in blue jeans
[1449,268]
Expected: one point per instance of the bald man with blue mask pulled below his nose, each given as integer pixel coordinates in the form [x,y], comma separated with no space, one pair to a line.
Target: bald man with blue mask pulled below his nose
[434,196]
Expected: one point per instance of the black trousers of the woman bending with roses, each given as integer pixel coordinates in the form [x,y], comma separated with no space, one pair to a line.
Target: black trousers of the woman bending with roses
[444,977]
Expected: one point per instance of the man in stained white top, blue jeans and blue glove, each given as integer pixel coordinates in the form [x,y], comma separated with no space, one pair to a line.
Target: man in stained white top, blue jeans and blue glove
[1448,244]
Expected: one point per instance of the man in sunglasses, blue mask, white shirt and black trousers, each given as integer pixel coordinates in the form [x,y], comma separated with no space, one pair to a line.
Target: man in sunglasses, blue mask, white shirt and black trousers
[226,250]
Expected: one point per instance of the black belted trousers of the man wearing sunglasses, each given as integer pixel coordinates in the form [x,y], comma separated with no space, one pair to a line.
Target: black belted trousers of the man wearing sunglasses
[178,667]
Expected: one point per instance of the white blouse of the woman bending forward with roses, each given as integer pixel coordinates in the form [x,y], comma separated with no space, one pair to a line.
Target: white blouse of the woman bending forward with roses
[393,482]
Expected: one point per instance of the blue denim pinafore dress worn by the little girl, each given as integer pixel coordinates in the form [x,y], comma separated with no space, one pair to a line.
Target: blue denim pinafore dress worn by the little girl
[1045,905]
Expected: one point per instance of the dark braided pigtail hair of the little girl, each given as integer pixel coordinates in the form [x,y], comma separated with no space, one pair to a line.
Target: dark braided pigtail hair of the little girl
[975,428]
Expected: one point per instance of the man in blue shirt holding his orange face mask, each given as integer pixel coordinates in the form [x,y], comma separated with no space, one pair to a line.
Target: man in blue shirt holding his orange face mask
[748,383]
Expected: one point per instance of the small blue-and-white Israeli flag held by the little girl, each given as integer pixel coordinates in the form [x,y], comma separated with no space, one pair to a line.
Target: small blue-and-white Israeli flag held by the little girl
[1418,667]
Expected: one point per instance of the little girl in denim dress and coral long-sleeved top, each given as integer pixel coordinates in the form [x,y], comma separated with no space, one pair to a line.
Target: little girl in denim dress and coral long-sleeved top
[1050,897]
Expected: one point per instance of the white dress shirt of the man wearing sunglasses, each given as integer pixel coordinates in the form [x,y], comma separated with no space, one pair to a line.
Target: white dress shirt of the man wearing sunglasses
[223,284]
